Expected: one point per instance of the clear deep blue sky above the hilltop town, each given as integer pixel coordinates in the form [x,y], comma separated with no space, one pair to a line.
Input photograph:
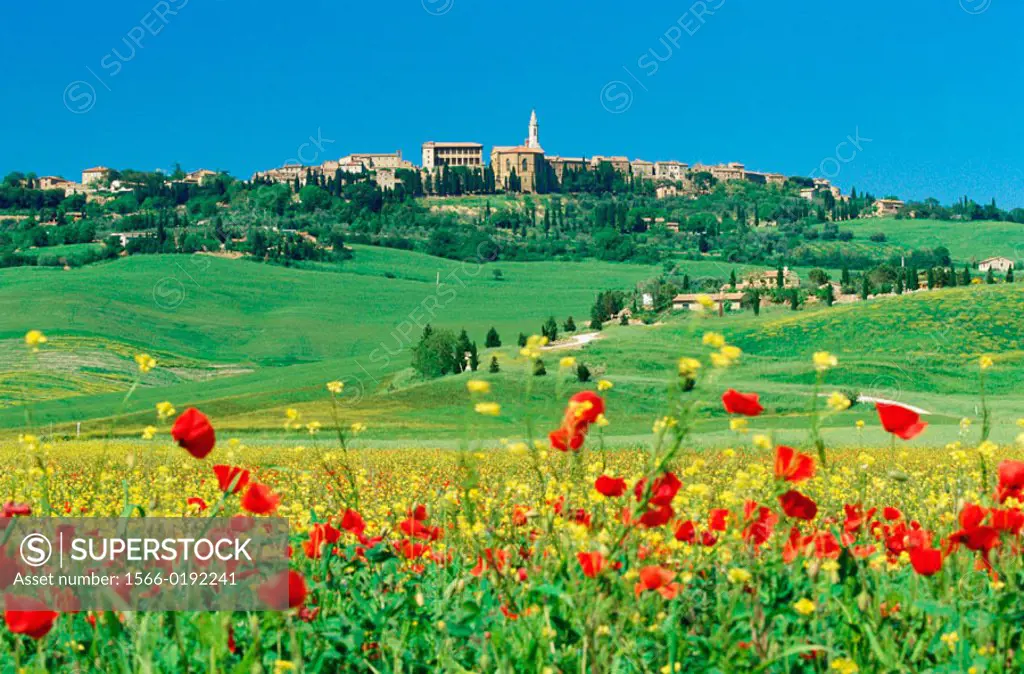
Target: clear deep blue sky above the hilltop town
[932,89]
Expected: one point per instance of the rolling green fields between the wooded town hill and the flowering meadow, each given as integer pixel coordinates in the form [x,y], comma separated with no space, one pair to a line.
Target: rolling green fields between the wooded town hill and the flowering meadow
[247,341]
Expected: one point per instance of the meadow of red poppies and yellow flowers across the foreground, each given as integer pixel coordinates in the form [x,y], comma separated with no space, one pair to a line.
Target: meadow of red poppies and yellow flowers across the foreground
[557,554]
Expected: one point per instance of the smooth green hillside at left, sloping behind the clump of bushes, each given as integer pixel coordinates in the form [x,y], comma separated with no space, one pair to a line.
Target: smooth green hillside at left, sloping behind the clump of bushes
[257,336]
